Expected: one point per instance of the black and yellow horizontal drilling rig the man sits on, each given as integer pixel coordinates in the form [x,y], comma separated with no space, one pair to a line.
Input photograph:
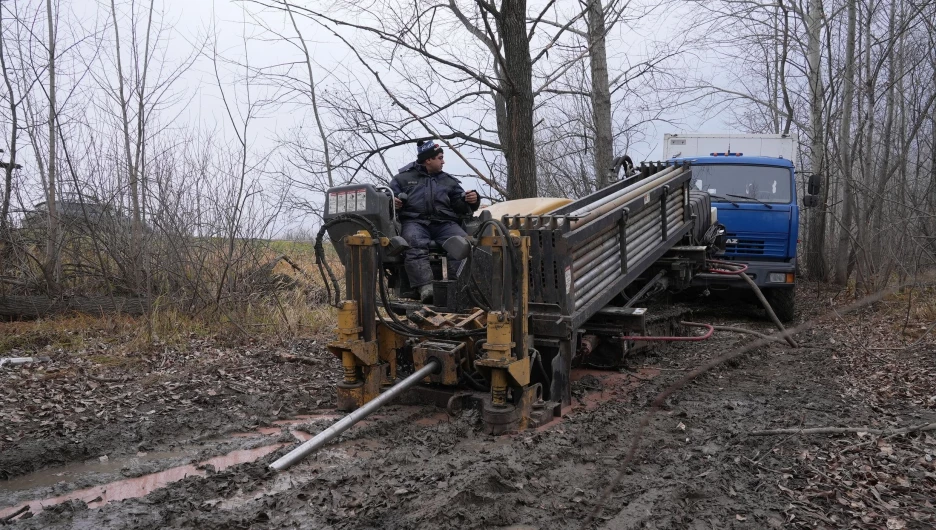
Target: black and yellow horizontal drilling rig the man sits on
[503,333]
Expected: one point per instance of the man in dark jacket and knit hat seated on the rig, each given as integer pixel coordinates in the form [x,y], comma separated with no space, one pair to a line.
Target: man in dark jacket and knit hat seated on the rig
[430,209]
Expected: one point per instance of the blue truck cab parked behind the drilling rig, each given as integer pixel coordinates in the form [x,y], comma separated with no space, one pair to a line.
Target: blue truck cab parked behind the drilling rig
[756,201]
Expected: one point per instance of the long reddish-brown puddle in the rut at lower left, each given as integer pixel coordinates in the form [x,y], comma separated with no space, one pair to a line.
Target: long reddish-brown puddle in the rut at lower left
[138,487]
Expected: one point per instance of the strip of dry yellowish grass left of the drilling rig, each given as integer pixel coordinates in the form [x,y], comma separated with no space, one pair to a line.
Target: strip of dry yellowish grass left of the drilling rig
[293,304]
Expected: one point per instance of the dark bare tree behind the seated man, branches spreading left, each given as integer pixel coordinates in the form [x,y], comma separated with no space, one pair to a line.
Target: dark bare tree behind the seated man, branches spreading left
[500,31]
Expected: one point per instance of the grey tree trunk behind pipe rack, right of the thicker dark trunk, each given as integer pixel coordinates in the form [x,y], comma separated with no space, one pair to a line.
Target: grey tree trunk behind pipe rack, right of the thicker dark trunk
[603,150]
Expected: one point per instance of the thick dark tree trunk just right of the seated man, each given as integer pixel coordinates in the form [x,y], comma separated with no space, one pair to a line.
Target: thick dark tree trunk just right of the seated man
[519,149]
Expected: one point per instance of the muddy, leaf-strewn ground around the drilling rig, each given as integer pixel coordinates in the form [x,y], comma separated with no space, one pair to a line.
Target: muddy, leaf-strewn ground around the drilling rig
[88,418]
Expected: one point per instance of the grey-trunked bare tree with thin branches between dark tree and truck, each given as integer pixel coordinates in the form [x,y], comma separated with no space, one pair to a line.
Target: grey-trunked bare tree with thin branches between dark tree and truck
[595,110]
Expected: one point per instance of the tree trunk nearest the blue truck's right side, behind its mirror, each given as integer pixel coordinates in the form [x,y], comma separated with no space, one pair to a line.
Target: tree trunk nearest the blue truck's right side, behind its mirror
[815,256]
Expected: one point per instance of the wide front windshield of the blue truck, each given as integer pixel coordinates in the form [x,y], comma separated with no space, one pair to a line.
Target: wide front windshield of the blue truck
[744,183]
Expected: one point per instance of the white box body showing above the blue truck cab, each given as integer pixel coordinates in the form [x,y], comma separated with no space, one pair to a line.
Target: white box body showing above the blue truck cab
[687,145]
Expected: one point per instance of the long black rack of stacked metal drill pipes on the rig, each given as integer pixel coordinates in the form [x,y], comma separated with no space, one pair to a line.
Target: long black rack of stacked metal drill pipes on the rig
[587,252]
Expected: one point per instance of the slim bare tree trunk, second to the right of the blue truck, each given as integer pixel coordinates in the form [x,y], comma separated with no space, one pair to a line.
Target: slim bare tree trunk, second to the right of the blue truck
[844,142]
